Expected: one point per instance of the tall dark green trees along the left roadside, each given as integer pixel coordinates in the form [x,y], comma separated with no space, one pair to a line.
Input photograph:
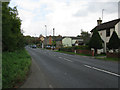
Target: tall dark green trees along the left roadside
[12,38]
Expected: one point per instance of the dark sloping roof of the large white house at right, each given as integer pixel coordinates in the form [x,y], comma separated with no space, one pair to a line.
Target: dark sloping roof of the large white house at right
[107,25]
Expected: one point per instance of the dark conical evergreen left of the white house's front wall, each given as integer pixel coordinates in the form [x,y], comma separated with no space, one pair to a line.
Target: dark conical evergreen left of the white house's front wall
[95,41]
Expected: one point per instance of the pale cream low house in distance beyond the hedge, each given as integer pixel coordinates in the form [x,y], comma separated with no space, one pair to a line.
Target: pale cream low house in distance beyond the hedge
[71,41]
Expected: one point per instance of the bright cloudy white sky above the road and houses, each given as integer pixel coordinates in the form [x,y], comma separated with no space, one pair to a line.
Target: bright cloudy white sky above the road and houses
[68,17]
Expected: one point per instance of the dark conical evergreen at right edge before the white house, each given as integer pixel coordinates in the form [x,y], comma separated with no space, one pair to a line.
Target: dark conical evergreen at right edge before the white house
[114,42]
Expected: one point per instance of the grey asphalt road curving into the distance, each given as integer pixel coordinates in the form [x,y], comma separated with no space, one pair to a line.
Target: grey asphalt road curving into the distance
[58,70]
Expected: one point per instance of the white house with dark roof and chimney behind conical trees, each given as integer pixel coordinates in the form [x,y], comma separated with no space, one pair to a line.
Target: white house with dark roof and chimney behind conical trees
[106,29]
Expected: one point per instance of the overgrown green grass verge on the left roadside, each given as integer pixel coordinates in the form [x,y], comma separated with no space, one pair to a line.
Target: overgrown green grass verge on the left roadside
[15,66]
